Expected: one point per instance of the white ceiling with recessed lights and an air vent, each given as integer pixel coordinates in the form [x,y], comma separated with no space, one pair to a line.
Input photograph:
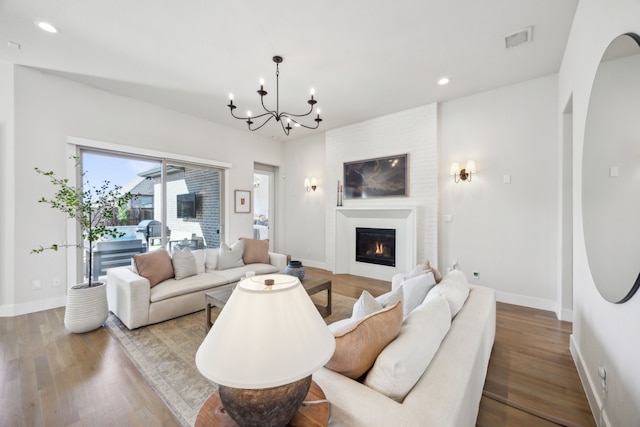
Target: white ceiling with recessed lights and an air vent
[364,58]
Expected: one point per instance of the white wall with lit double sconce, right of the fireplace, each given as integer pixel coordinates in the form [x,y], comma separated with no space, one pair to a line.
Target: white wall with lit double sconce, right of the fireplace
[505,232]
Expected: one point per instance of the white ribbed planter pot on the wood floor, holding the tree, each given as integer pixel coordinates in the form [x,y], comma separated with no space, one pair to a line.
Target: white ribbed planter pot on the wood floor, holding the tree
[86,309]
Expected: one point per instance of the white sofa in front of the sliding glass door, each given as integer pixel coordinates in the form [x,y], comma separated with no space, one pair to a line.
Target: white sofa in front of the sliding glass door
[137,303]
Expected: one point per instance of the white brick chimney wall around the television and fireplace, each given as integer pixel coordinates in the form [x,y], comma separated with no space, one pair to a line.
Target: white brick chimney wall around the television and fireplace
[412,131]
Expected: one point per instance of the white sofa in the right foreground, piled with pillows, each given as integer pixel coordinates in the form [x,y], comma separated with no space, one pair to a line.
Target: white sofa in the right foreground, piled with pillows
[447,392]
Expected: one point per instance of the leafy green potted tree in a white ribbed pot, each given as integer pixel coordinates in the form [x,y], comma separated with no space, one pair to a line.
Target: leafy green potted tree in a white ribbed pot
[95,209]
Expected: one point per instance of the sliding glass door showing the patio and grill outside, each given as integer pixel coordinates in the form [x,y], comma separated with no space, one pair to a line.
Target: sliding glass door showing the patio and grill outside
[175,205]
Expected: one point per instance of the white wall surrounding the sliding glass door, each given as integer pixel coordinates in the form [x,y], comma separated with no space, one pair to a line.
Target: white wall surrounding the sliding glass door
[48,110]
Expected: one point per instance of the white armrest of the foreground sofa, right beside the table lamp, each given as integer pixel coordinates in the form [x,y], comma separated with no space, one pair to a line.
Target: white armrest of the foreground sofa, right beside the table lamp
[355,404]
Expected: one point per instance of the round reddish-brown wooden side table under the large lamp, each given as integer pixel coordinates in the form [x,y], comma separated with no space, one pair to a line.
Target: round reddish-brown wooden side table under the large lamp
[213,414]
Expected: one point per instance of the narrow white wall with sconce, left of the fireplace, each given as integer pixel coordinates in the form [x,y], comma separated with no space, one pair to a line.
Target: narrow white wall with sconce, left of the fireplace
[304,216]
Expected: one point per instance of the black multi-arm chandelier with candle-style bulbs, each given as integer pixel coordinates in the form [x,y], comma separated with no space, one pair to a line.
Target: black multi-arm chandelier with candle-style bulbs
[286,119]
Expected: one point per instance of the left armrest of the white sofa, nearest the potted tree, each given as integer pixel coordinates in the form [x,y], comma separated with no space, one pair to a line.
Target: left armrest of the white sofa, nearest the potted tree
[129,296]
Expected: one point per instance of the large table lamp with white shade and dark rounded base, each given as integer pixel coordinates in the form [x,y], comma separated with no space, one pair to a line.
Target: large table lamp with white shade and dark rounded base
[262,349]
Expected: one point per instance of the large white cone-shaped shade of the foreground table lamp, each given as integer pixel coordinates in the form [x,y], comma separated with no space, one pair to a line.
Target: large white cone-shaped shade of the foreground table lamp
[265,338]
